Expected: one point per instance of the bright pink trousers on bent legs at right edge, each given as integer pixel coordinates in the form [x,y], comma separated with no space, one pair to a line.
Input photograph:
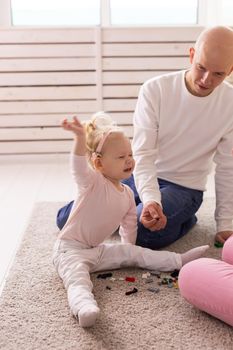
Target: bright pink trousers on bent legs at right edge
[208,284]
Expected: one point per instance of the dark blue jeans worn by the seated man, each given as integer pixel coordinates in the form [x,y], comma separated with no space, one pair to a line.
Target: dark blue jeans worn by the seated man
[179,205]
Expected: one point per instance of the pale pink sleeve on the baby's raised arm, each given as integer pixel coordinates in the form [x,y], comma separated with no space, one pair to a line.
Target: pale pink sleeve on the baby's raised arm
[81,171]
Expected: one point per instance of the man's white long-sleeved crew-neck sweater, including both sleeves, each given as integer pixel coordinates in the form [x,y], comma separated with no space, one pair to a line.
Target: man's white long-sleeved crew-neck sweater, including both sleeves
[177,136]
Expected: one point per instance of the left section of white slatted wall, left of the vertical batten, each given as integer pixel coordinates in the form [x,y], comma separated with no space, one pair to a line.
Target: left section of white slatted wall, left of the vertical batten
[45,75]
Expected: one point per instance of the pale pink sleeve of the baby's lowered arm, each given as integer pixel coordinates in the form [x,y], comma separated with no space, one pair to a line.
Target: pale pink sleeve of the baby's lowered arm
[128,225]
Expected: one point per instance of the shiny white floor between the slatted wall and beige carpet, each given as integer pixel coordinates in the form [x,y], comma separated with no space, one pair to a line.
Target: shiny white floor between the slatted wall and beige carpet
[25,180]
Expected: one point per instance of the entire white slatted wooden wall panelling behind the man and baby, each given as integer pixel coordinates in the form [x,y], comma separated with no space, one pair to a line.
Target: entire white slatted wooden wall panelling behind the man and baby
[47,74]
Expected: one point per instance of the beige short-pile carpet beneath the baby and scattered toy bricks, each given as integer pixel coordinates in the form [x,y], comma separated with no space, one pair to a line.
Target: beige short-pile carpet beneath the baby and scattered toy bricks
[34,312]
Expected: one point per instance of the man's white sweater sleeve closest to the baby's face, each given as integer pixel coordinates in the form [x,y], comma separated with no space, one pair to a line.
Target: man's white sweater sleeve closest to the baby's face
[145,147]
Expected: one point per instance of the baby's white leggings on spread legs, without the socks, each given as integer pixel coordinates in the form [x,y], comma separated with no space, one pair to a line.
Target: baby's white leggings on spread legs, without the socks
[74,262]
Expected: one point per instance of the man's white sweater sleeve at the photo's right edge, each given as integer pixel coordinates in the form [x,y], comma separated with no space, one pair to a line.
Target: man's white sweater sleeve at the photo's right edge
[224,183]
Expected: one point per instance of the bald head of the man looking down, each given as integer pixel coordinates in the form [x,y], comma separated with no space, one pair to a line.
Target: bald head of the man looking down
[211,60]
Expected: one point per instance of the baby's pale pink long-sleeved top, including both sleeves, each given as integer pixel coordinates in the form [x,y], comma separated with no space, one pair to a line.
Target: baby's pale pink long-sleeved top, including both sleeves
[99,208]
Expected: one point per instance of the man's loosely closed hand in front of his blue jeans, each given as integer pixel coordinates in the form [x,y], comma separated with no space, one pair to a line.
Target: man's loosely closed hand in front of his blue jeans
[152,217]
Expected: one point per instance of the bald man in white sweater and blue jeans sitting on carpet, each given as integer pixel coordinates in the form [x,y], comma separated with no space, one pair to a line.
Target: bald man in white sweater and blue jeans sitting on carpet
[182,122]
